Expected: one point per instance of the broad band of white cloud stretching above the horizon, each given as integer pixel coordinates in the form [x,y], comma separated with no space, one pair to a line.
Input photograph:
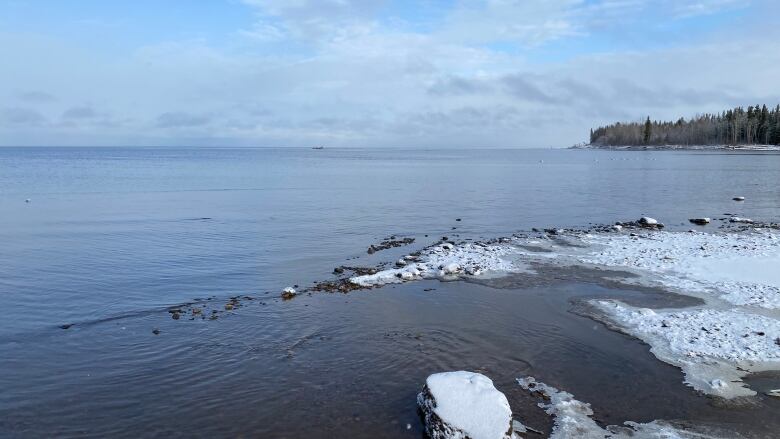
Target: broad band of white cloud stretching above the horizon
[364,81]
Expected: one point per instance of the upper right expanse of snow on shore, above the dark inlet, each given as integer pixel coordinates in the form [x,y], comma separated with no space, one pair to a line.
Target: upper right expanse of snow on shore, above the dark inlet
[737,267]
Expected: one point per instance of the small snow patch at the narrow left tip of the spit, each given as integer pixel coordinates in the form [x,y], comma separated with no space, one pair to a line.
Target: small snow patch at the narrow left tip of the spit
[445,261]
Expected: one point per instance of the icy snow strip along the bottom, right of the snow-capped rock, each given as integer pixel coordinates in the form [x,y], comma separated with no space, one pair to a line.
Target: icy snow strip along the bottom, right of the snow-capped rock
[573,419]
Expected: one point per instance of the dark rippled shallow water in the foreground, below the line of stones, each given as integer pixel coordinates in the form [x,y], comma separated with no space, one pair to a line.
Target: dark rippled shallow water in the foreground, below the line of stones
[340,366]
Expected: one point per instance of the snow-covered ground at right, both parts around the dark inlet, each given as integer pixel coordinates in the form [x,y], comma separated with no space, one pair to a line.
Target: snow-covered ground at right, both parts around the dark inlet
[735,333]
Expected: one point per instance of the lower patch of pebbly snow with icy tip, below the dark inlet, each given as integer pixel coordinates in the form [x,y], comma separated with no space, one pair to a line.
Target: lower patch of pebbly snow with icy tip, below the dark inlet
[714,348]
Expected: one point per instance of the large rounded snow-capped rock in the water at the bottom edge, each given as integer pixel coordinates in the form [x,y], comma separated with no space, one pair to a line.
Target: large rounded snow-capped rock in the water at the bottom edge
[464,405]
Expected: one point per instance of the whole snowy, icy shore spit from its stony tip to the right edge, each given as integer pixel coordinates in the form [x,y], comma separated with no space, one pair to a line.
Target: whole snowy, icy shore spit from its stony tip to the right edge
[735,332]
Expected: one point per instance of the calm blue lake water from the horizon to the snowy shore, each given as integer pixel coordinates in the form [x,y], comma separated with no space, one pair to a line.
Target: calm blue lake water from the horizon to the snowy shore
[113,237]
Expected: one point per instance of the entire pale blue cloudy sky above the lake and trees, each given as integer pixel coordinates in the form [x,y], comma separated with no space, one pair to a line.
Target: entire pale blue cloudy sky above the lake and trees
[372,73]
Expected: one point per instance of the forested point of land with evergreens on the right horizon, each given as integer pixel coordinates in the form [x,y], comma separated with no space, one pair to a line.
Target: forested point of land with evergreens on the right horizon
[756,125]
